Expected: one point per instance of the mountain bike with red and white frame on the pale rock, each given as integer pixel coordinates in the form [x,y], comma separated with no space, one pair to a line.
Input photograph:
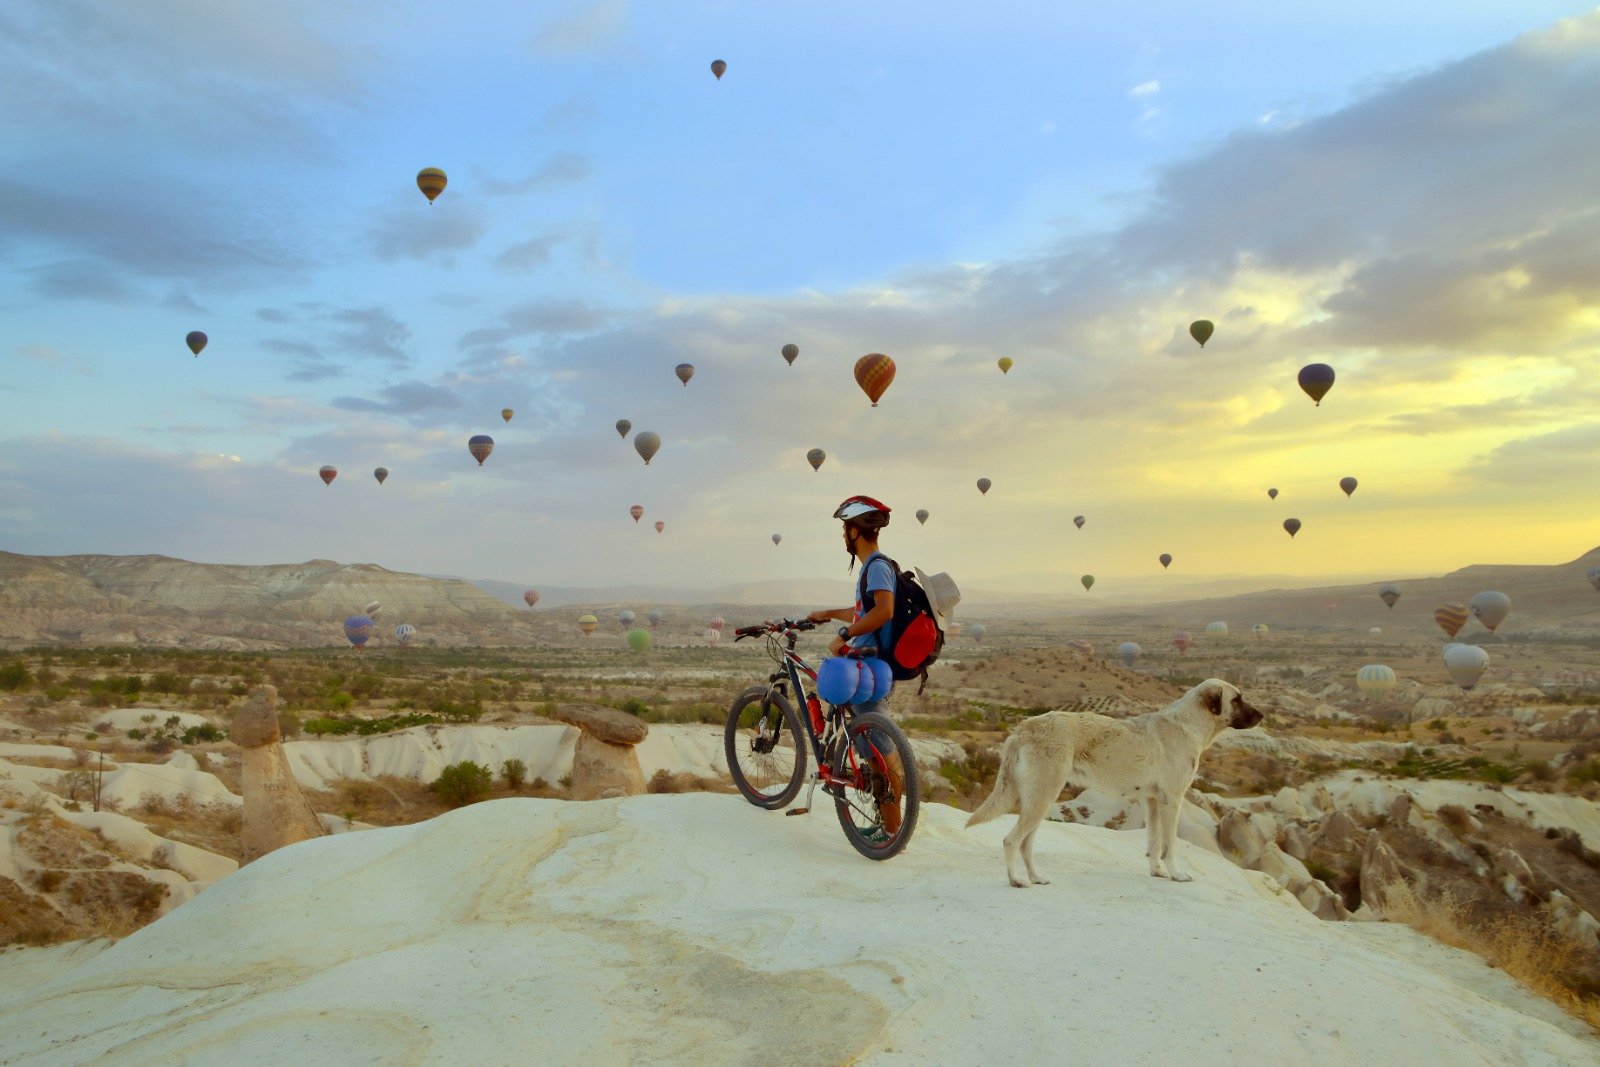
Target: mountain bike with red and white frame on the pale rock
[863,761]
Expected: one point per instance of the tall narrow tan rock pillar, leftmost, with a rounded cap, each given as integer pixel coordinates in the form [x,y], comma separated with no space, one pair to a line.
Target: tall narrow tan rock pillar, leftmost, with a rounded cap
[276,810]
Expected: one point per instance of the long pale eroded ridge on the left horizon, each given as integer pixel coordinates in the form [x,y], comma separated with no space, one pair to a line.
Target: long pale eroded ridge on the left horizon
[161,601]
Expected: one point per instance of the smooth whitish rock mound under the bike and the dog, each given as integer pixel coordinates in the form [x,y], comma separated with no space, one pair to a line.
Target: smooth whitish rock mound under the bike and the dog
[698,930]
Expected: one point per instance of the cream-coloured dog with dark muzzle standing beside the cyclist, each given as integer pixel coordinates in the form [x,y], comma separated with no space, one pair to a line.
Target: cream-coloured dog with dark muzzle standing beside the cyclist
[1153,756]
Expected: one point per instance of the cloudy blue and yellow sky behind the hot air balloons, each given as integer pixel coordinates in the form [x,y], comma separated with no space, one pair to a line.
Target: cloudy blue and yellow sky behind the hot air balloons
[1404,191]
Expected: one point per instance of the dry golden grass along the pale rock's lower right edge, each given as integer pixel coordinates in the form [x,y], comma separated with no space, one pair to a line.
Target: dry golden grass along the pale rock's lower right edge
[1526,948]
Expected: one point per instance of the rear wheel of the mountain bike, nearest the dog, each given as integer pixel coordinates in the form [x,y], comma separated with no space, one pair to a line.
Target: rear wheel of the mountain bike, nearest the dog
[881,815]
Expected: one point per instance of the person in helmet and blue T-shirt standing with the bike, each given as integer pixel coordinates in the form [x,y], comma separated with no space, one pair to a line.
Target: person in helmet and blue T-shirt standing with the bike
[870,621]
